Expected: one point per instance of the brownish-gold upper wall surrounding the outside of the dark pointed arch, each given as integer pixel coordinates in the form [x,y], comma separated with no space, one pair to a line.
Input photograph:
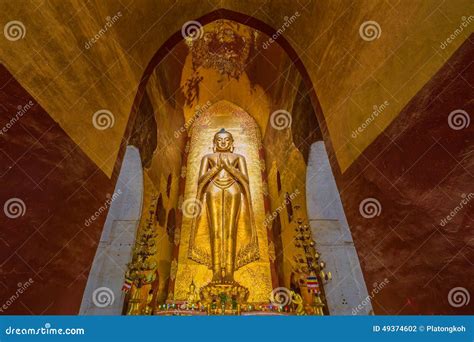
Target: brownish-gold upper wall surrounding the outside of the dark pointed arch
[350,74]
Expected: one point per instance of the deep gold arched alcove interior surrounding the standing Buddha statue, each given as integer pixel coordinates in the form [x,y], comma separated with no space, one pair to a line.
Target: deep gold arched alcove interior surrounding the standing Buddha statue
[224,80]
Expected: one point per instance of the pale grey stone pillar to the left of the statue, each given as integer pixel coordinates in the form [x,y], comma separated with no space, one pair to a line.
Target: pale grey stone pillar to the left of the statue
[103,295]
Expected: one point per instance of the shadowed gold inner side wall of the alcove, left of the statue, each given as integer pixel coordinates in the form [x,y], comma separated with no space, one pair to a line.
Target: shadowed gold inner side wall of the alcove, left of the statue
[165,164]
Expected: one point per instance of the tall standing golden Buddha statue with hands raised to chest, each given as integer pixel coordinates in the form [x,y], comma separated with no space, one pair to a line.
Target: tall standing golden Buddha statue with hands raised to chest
[223,236]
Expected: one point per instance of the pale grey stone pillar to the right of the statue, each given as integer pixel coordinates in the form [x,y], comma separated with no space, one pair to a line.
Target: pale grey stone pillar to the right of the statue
[346,293]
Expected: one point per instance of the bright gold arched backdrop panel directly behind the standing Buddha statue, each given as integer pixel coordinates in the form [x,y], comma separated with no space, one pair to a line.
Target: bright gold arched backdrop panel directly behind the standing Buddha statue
[255,276]
